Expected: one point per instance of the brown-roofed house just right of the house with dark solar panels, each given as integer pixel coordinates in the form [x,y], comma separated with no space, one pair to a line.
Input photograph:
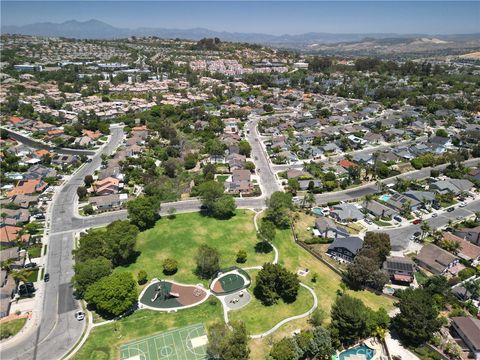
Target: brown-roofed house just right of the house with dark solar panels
[438,261]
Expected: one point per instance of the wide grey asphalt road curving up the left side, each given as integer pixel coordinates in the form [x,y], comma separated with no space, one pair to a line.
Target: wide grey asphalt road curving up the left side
[58,330]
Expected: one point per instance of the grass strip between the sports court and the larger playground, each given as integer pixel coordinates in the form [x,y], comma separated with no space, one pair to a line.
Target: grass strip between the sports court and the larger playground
[104,341]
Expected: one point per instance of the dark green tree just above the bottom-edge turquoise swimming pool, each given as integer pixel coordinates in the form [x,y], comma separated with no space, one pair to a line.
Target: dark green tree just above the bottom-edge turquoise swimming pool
[349,317]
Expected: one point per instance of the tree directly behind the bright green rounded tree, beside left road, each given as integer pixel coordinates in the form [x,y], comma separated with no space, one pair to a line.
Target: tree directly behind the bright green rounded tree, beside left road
[89,272]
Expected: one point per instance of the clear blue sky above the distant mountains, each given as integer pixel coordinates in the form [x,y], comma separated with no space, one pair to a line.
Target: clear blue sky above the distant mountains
[272,17]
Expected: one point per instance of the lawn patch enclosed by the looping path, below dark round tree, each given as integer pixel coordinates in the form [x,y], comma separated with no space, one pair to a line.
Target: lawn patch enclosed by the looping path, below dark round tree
[259,318]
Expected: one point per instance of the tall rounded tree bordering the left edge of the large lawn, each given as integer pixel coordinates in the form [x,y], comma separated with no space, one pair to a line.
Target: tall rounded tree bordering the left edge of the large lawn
[121,239]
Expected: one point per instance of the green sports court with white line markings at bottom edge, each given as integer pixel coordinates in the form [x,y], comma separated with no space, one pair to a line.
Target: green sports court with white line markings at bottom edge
[187,343]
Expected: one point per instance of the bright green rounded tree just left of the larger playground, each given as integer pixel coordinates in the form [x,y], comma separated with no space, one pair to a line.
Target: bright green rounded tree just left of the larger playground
[114,294]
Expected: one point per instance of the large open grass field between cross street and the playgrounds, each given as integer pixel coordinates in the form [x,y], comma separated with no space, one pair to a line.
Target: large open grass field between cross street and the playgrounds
[180,238]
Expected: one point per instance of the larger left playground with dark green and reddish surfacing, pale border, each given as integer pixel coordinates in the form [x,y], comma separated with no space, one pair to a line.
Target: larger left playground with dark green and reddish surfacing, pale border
[167,295]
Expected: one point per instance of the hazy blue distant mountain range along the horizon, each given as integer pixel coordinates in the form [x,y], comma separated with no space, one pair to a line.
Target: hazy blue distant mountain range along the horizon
[95,29]
